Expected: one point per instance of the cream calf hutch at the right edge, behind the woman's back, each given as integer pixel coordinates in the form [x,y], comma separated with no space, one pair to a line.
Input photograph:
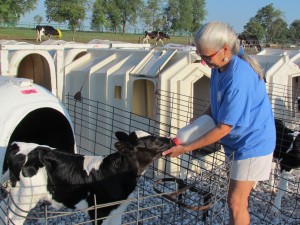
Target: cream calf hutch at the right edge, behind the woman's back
[282,71]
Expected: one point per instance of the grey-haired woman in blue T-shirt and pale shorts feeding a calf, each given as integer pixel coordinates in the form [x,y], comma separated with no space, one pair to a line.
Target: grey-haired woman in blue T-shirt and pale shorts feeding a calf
[242,111]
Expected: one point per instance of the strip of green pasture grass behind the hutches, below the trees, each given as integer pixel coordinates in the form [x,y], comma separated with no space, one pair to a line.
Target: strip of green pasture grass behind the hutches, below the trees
[29,35]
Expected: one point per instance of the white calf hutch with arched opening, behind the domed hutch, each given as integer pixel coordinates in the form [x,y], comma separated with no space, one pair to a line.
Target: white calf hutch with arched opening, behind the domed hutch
[33,62]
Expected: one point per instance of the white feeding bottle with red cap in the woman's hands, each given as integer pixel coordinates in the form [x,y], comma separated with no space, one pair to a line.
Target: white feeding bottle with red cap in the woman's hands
[194,130]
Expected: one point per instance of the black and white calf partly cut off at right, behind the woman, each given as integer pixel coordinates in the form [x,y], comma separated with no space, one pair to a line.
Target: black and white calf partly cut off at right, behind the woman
[287,154]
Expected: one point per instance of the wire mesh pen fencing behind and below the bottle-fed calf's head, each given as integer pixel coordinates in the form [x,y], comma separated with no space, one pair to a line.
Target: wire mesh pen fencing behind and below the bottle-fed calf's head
[203,180]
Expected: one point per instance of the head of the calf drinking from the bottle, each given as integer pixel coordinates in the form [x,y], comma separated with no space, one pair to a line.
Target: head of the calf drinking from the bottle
[142,147]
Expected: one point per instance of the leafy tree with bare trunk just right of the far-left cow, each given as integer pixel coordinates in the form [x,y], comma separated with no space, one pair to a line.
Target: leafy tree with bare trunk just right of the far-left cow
[70,11]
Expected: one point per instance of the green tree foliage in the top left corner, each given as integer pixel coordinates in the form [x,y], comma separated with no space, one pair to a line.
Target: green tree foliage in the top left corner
[12,10]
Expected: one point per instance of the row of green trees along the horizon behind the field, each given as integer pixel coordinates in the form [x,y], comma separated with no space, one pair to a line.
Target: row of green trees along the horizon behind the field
[166,15]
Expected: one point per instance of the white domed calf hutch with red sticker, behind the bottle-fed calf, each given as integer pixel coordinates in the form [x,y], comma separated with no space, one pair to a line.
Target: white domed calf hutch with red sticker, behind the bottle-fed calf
[30,113]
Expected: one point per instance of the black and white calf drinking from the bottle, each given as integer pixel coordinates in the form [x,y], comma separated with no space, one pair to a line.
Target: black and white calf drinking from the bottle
[75,181]
